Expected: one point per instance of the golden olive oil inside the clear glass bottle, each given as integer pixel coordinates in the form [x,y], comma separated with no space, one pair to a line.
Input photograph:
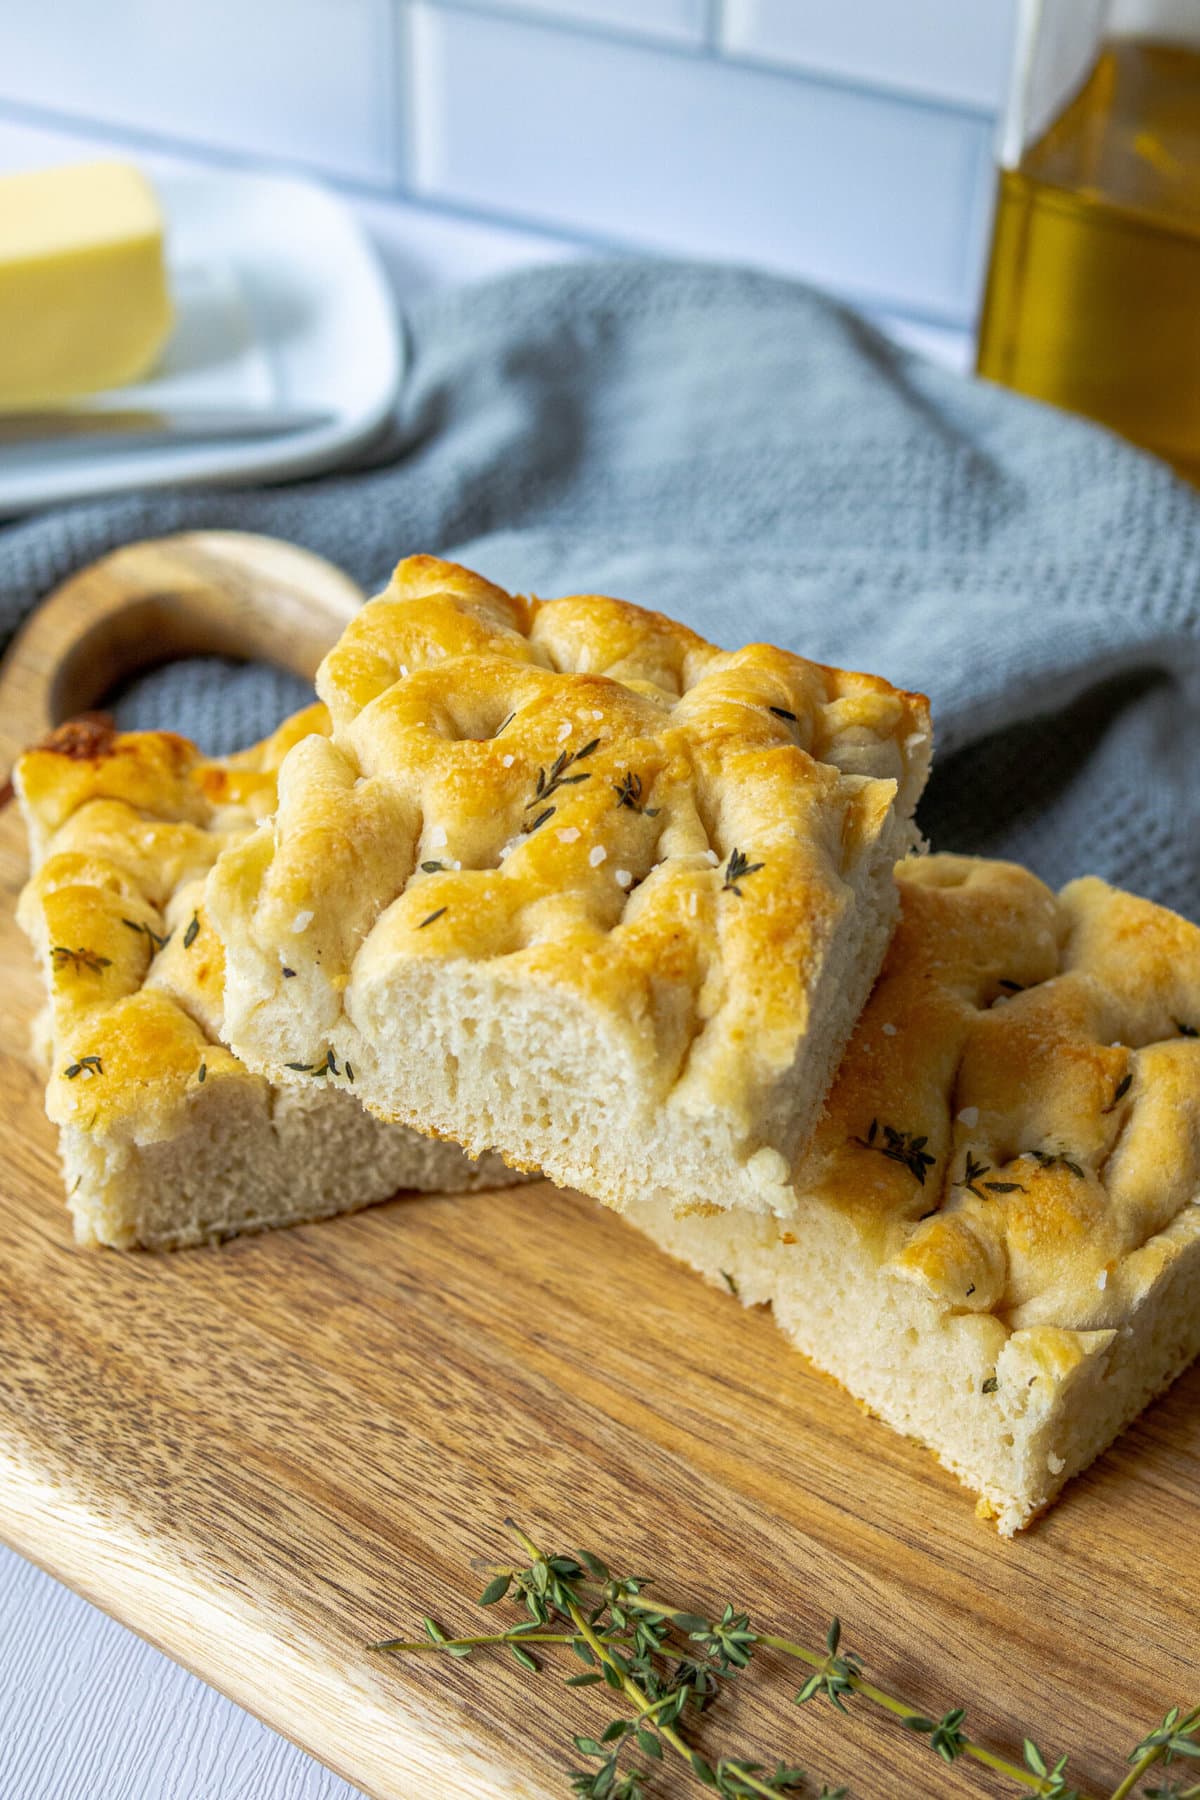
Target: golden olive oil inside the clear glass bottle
[1093,294]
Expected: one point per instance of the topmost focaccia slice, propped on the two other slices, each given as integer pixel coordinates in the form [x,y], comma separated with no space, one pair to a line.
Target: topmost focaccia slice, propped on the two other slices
[573,883]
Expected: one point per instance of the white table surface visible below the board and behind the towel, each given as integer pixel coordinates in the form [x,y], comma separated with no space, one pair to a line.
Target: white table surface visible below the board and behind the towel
[87,1711]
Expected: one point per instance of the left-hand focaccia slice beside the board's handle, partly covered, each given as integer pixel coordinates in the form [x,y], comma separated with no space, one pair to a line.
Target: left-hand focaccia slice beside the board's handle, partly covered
[166,1138]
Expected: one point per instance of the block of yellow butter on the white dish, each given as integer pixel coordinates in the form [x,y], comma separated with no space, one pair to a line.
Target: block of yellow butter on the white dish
[84,285]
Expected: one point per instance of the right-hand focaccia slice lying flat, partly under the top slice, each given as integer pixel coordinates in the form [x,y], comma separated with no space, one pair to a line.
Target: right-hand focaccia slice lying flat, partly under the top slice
[998,1245]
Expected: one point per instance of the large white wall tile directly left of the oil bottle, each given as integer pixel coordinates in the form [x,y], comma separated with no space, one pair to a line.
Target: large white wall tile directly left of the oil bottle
[861,192]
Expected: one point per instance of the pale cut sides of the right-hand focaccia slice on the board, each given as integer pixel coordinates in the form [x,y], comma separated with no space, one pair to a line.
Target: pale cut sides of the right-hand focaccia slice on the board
[1014,1416]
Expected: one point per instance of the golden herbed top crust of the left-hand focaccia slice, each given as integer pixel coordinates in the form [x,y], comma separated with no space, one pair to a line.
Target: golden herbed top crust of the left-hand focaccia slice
[123,829]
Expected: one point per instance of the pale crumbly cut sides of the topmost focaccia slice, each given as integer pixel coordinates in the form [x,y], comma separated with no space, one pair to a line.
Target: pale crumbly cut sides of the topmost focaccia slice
[463,1050]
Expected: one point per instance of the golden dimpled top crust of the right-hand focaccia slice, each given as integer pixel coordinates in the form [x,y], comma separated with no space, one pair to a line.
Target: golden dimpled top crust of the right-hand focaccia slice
[1035,1059]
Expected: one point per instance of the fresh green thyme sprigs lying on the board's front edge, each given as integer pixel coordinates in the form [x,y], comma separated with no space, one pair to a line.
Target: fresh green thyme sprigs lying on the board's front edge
[668,1664]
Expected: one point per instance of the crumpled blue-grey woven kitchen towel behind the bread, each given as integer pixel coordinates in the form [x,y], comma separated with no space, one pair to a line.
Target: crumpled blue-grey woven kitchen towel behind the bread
[757,460]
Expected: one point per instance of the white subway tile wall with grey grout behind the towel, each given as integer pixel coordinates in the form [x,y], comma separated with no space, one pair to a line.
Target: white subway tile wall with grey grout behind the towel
[845,141]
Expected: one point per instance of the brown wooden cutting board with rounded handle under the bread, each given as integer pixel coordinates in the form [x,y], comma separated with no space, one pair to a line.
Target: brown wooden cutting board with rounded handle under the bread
[267,1455]
